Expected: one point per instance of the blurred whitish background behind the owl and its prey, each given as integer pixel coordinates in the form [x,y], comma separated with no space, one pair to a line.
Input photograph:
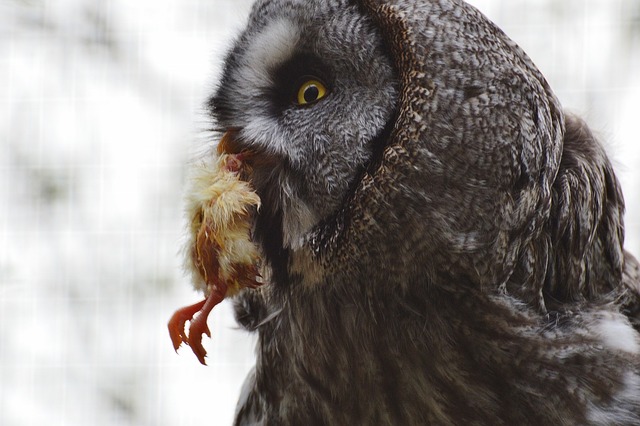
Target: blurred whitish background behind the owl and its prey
[101,108]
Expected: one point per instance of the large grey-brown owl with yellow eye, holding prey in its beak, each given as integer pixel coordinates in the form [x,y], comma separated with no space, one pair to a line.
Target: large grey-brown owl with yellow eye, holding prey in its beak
[442,243]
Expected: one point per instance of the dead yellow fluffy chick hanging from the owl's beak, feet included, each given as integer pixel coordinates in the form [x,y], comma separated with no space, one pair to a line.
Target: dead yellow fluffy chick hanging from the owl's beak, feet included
[219,251]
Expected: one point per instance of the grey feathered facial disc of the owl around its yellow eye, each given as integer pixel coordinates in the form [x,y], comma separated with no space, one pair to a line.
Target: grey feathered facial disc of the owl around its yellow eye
[310,88]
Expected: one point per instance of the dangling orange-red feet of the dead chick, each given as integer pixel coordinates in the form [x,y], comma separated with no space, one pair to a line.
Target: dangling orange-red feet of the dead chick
[198,323]
